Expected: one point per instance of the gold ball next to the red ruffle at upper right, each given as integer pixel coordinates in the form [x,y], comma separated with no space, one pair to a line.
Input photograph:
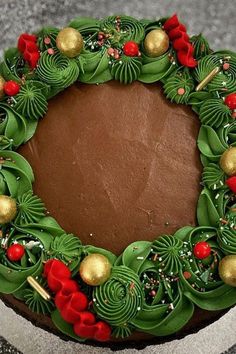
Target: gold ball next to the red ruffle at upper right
[156,43]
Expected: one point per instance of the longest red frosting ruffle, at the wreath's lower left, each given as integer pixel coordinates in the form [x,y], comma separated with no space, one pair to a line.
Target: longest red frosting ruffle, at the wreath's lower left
[73,304]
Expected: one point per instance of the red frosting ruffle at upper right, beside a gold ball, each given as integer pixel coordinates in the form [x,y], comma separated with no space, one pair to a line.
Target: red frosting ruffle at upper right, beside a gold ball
[177,34]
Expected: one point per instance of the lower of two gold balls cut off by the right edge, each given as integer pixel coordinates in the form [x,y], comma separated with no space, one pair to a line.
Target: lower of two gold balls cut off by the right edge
[227,270]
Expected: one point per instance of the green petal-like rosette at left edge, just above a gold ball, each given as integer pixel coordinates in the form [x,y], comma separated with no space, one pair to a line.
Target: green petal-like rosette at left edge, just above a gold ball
[16,175]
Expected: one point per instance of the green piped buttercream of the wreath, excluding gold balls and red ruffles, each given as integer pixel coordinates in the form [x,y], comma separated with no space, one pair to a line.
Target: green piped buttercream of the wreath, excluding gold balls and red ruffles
[167,278]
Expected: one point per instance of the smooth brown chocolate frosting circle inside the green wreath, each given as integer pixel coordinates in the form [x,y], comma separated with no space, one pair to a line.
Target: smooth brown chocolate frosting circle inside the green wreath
[115,163]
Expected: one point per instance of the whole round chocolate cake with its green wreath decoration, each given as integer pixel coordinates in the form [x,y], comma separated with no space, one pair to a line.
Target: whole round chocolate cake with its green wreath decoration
[117,209]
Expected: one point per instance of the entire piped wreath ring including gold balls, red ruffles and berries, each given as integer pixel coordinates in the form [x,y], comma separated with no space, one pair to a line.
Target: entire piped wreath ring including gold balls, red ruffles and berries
[151,287]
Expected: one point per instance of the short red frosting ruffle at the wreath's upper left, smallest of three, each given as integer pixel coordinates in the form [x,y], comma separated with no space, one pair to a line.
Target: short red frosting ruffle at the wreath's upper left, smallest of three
[27,45]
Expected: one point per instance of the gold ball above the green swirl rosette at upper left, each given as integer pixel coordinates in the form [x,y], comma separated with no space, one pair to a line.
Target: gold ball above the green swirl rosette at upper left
[70,42]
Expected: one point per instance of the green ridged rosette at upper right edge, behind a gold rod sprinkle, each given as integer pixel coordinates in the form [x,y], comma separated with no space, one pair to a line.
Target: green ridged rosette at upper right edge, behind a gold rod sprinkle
[224,81]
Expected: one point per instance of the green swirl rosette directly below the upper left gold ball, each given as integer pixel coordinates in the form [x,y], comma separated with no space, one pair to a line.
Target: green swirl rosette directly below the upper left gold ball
[57,70]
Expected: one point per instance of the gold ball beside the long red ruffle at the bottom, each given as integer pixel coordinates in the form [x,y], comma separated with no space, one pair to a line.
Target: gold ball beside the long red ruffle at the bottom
[95,269]
